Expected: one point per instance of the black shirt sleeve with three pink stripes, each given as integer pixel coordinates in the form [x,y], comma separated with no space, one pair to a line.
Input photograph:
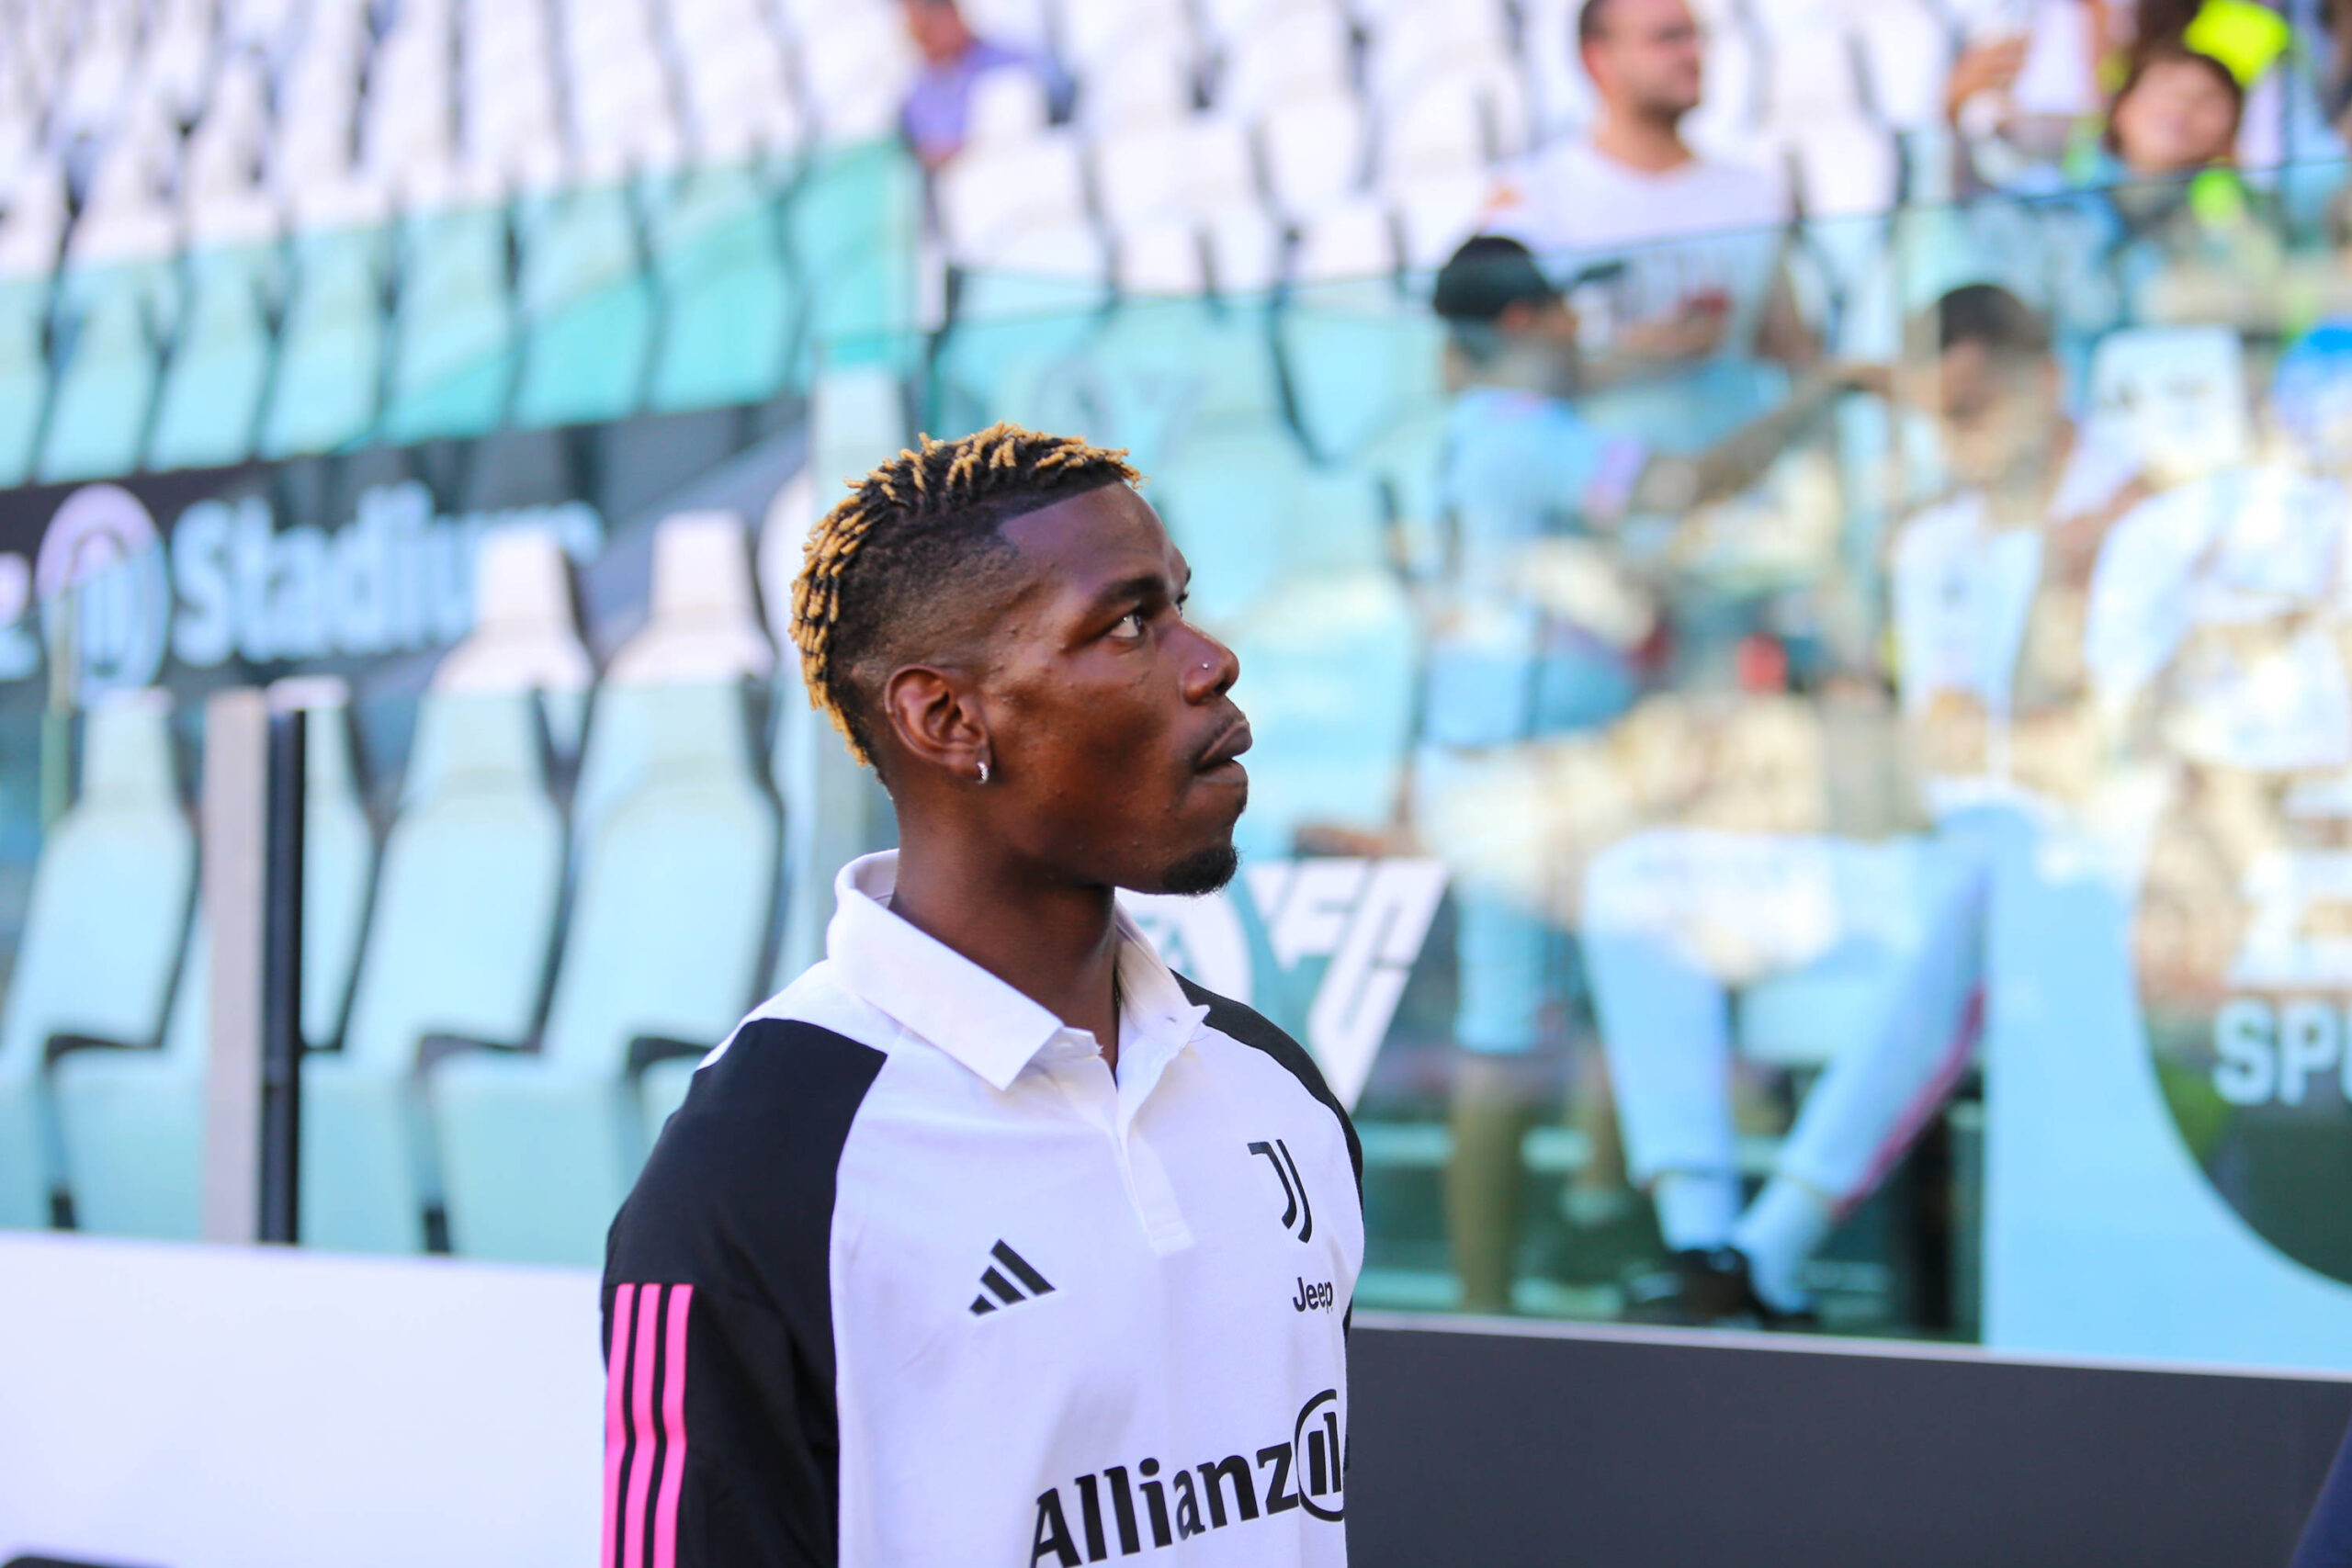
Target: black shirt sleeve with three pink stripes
[721,1423]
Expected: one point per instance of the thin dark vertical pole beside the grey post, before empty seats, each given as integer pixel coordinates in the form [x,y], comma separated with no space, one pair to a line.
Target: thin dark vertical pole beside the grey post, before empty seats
[281,984]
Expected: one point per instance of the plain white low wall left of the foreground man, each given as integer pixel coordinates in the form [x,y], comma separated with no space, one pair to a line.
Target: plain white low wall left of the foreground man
[189,1407]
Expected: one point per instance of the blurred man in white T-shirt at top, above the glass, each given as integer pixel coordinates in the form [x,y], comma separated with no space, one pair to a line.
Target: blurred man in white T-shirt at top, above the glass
[1702,243]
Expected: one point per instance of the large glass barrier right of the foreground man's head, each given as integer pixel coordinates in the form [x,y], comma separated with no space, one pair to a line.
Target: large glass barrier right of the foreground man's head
[1697,819]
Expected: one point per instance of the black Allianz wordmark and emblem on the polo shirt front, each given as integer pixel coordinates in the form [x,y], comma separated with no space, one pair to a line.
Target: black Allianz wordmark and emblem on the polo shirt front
[1137,1508]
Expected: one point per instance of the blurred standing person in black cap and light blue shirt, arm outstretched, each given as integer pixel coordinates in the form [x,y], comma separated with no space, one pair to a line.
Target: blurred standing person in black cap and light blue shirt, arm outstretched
[1532,636]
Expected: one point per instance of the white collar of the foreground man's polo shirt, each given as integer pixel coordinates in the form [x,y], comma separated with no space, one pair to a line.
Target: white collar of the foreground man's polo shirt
[951,1003]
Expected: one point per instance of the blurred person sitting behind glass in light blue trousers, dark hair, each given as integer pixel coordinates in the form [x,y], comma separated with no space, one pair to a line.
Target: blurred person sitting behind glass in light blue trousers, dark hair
[1989,624]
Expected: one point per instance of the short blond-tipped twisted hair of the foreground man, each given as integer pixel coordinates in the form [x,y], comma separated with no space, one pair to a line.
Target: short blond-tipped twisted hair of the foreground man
[911,535]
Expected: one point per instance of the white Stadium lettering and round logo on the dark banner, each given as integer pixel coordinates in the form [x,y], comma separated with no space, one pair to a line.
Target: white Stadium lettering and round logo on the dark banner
[112,596]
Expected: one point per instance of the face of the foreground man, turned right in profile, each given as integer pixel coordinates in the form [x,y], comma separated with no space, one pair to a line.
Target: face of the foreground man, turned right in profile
[1109,711]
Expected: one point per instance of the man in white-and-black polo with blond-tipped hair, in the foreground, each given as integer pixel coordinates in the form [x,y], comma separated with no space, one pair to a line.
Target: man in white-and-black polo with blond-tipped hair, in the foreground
[991,1240]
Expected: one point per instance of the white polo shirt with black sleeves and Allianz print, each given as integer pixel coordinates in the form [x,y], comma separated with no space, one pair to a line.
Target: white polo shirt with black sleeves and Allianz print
[914,1280]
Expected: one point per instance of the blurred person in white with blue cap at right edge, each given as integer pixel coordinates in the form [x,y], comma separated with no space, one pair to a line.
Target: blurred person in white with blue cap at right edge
[2219,645]
